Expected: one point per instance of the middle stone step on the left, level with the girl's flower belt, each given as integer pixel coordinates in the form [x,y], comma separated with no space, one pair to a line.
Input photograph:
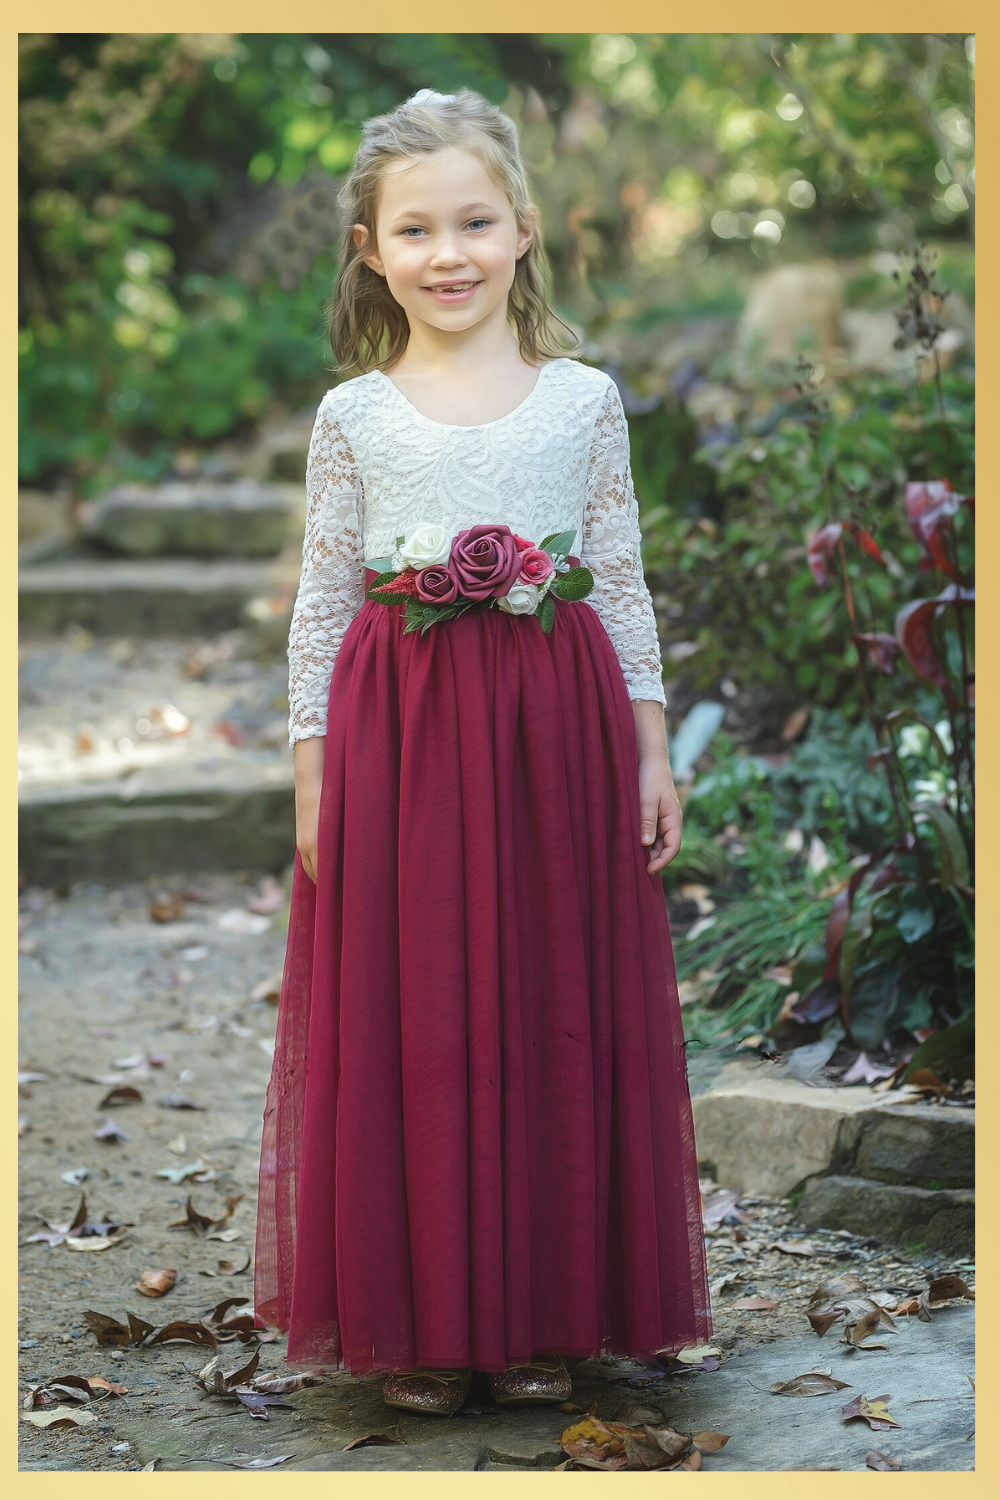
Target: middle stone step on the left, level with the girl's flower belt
[155,596]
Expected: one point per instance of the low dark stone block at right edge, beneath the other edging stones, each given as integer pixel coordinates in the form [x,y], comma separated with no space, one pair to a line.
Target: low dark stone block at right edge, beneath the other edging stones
[942,1222]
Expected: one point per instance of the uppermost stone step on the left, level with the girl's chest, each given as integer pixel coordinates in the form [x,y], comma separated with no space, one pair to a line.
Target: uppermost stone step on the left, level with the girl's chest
[194,518]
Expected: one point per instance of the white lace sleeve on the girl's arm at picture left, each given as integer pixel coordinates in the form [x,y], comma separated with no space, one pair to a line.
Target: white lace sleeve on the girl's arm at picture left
[332,584]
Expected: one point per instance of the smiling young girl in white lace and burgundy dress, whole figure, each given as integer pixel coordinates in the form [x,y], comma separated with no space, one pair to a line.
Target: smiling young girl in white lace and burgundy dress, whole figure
[478,1144]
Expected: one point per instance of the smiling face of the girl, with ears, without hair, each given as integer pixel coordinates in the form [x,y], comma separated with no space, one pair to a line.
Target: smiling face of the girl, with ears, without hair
[448,241]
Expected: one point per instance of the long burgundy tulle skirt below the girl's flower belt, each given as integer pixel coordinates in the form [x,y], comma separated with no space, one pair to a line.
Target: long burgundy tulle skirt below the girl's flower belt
[478,1138]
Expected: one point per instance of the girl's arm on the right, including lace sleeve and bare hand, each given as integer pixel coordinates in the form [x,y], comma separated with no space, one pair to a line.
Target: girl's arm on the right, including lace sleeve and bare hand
[612,544]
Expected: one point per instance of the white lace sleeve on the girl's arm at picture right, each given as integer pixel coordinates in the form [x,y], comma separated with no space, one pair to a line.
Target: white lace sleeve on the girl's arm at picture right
[612,553]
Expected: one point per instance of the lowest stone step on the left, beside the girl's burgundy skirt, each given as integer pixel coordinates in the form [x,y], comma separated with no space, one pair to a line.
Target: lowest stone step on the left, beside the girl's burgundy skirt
[161,821]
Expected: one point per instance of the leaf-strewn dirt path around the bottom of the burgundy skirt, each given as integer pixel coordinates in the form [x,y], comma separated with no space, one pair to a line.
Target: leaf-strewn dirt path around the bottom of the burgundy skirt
[170,1010]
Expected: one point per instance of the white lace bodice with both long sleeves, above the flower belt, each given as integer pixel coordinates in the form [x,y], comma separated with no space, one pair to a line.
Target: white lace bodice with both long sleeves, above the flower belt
[558,463]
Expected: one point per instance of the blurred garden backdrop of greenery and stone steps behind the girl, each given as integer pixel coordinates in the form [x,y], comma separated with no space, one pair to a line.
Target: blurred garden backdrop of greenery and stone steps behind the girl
[768,241]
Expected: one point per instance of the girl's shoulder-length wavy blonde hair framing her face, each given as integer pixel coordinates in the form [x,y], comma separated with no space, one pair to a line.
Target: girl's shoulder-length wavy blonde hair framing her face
[368,328]
